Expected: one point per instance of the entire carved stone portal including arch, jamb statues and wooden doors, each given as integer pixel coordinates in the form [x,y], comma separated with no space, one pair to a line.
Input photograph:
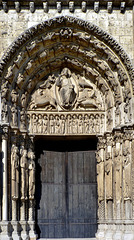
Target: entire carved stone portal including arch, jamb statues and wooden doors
[67,78]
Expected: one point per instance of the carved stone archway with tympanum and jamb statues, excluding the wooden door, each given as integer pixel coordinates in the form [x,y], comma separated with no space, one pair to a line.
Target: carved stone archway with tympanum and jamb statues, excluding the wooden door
[63,77]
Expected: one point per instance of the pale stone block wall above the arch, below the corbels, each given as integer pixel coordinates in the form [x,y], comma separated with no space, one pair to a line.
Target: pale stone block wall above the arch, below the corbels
[119,25]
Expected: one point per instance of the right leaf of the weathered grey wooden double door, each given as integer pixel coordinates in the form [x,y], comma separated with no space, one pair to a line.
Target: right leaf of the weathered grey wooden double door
[82,194]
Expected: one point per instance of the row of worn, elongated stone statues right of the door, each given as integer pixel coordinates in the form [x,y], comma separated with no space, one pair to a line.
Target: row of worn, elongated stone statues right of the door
[117,170]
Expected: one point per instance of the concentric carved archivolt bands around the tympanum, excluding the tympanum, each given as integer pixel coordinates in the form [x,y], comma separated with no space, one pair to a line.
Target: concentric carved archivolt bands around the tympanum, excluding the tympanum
[81,46]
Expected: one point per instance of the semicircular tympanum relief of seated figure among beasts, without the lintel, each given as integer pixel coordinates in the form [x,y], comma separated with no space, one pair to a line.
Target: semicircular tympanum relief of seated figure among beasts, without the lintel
[65,91]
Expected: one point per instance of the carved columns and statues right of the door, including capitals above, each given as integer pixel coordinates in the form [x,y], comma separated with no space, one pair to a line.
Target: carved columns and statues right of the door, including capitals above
[114,176]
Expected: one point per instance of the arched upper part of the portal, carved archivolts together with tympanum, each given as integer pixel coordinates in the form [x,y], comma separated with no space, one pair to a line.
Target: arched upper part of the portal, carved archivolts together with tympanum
[66,65]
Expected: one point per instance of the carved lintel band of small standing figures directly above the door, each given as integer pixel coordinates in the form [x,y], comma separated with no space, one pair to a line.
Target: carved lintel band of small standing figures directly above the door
[66,124]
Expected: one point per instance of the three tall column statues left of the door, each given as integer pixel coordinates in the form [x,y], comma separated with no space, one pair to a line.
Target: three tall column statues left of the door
[26,166]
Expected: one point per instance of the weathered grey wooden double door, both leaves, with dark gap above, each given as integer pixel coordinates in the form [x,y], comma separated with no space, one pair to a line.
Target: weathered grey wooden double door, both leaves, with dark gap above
[66,194]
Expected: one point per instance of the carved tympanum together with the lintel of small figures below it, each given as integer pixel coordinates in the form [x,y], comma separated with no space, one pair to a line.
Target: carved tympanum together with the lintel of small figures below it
[66,103]
